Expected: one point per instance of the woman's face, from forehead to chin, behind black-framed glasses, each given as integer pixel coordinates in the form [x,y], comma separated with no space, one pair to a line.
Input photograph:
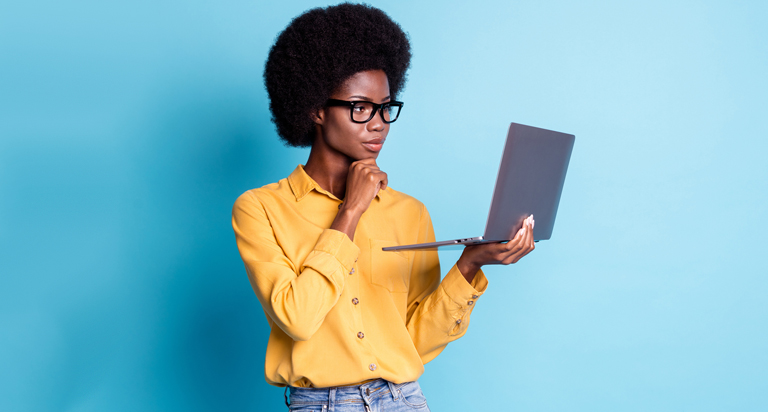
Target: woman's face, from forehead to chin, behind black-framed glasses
[355,140]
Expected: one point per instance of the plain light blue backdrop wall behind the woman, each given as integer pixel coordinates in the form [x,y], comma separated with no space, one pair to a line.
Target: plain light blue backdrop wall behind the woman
[127,130]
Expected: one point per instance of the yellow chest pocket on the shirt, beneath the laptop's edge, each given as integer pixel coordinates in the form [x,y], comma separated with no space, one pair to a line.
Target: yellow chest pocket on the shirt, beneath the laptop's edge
[389,269]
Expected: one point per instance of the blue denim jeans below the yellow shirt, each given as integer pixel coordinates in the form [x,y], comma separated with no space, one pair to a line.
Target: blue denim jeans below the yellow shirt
[374,396]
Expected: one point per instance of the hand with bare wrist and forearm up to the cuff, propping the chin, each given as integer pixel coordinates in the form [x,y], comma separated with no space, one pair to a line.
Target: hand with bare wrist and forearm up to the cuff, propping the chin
[364,181]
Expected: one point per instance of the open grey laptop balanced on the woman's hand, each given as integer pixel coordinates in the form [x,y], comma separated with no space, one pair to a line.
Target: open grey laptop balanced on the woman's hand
[530,182]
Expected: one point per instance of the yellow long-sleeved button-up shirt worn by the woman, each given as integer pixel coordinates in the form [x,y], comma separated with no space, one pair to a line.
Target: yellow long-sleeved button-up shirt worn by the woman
[344,312]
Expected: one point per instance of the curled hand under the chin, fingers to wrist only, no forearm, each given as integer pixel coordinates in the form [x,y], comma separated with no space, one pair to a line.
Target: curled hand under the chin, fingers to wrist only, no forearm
[364,181]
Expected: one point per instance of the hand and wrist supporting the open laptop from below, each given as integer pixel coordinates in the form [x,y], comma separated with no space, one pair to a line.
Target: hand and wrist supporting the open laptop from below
[474,257]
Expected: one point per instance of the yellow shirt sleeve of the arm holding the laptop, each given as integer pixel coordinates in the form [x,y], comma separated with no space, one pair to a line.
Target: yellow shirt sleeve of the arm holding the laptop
[438,312]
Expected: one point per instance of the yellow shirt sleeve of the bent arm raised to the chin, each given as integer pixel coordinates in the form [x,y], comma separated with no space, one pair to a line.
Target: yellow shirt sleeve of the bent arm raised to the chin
[296,298]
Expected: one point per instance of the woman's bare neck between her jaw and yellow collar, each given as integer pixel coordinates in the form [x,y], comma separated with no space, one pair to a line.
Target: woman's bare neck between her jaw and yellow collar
[328,168]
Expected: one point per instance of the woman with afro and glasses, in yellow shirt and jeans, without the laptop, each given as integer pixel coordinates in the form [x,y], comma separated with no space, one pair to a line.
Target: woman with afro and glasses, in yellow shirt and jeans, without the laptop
[351,325]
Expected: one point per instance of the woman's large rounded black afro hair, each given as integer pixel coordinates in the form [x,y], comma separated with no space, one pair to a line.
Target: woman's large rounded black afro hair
[318,51]
